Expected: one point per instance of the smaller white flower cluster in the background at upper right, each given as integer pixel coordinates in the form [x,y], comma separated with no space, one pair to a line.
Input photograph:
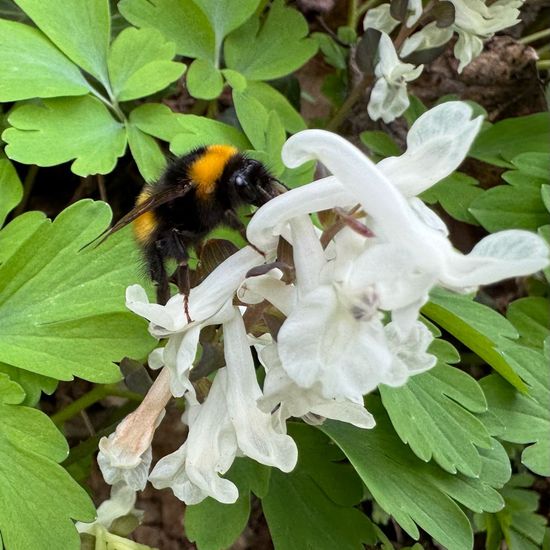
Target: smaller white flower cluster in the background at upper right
[474,21]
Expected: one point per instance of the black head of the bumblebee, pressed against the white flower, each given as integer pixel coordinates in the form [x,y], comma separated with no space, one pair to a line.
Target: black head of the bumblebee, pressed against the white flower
[252,183]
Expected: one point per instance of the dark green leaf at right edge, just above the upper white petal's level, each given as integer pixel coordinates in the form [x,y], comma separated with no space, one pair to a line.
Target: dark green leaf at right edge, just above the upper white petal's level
[508,138]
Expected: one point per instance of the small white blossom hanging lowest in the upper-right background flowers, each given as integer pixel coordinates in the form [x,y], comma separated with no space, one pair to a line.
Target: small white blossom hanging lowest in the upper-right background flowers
[389,97]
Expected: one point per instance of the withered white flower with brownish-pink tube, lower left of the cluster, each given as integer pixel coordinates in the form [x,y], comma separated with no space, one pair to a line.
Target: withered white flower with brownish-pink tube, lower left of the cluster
[125,456]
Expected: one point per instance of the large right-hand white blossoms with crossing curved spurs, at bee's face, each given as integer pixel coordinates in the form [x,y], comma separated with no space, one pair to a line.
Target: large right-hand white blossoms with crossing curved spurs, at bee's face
[334,339]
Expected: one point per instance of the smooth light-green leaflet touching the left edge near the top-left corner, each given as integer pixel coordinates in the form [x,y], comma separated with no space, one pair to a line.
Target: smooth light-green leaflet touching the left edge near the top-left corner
[31,66]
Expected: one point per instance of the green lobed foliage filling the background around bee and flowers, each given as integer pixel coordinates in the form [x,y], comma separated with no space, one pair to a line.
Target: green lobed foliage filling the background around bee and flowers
[76,88]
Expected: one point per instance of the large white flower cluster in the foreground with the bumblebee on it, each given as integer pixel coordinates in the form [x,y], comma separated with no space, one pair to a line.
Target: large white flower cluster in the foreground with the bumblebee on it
[351,315]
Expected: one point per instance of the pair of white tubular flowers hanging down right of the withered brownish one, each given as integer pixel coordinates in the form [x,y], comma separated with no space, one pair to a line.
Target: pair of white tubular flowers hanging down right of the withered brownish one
[228,422]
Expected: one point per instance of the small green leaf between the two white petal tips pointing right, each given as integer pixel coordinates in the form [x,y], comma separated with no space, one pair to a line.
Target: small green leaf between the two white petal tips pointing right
[455,193]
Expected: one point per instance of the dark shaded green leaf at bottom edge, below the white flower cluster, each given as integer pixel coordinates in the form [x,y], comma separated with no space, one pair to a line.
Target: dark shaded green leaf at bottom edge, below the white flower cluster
[312,507]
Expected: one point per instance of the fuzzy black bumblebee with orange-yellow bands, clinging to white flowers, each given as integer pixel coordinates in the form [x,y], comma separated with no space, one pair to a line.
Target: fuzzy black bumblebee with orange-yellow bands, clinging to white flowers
[196,193]
